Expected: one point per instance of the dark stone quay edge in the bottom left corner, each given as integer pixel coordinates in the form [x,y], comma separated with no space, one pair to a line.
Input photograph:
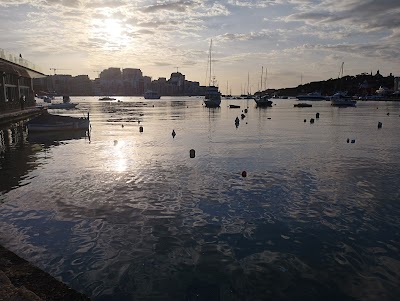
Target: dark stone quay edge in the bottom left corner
[21,280]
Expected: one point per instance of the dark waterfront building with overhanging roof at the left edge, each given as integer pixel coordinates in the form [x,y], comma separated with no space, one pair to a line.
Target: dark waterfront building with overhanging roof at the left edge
[16,83]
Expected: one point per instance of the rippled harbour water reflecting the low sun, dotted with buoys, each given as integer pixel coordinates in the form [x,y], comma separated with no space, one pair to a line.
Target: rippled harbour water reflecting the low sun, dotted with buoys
[125,215]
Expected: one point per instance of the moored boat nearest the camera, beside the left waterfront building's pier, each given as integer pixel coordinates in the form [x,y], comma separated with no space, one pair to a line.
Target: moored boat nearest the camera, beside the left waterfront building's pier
[49,122]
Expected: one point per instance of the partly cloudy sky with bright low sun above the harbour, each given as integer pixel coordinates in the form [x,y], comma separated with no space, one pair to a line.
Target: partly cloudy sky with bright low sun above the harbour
[292,41]
